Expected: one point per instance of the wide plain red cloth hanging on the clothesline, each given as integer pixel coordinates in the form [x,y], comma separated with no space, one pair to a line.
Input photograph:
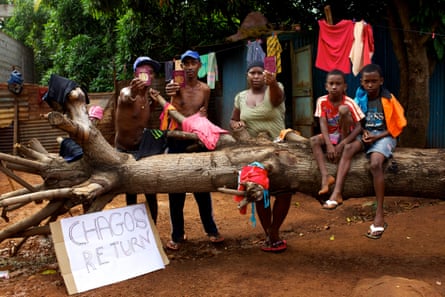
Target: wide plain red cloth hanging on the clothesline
[334,46]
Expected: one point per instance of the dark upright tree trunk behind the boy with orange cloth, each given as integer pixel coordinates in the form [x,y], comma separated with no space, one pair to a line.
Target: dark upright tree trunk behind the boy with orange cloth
[411,52]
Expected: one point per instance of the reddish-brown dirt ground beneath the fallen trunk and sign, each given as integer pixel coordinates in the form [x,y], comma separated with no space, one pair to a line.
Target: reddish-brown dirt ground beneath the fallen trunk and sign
[327,252]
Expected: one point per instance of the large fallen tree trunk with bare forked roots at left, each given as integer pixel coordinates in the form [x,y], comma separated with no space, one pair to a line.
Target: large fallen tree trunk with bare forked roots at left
[103,172]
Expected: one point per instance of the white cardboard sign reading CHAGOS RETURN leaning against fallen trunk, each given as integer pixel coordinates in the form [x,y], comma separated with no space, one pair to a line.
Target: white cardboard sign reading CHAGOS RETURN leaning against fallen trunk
[102,248]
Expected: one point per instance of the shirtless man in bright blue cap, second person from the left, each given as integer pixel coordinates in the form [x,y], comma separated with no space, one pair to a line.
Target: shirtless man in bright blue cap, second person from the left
[189,100]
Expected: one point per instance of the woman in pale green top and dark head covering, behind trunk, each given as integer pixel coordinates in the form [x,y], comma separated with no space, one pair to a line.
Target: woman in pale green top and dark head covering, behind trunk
[261,108]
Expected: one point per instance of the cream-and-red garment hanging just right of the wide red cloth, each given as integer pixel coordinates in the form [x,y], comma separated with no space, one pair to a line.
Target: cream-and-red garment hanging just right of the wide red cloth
[363,46]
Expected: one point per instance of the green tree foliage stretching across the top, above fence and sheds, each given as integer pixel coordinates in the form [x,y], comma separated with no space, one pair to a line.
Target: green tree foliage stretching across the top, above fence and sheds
[89,40]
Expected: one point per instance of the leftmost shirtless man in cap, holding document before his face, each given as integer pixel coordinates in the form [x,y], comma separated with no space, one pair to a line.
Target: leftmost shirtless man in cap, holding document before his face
[133,111]
